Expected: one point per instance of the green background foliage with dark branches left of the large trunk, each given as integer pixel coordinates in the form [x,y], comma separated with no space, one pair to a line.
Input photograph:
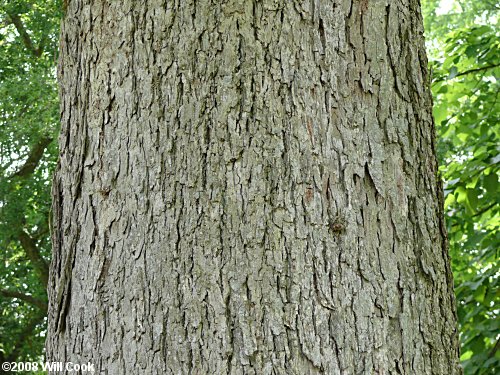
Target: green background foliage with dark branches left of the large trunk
[28,123]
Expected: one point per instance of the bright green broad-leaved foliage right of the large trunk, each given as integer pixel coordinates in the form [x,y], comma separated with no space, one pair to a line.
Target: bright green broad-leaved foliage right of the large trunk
[464,47]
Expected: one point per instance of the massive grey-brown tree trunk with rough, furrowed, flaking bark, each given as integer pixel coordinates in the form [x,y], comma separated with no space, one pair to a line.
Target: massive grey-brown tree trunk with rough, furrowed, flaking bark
[248,187]
